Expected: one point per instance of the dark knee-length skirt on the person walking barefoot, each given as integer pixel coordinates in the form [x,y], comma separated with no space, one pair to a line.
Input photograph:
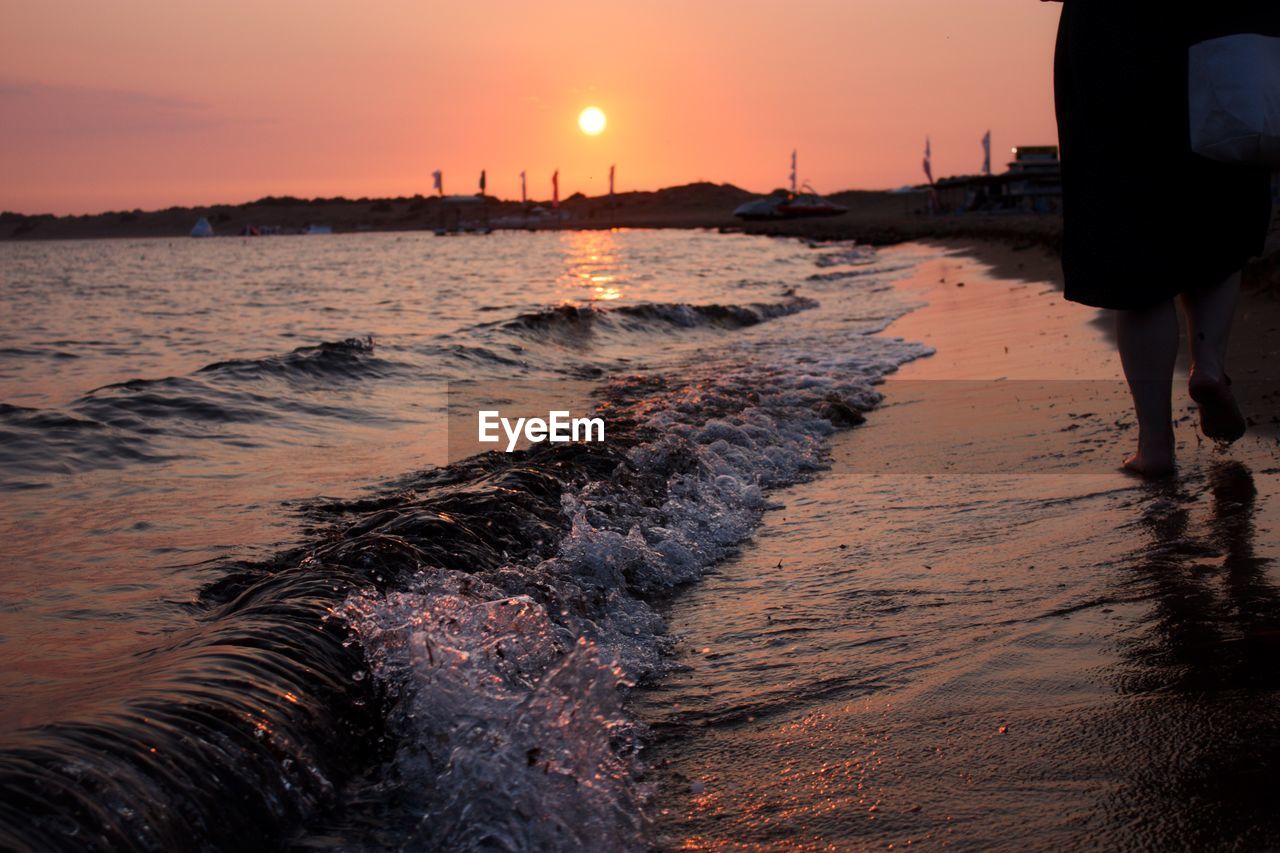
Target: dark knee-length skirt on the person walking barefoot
[1144,218]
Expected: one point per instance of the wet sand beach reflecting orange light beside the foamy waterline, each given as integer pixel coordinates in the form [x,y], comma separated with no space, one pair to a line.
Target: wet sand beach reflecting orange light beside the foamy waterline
[976,630]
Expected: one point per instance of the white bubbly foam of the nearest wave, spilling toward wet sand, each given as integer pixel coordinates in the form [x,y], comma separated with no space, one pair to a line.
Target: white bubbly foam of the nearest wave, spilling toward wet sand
[508,679]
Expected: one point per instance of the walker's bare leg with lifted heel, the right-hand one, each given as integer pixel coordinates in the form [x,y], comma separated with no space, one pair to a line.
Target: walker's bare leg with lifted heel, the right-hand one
[1209,323]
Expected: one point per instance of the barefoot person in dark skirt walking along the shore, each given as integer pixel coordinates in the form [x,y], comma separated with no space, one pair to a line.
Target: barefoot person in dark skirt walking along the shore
[1146,221]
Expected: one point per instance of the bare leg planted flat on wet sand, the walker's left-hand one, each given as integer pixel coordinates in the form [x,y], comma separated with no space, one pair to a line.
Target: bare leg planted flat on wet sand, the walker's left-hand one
[1149,348]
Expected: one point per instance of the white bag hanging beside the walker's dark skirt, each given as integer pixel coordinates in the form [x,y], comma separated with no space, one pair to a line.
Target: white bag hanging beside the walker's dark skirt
[1236,99]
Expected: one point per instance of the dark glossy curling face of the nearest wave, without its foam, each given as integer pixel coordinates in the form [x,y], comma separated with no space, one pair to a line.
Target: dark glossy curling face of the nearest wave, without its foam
[244,727]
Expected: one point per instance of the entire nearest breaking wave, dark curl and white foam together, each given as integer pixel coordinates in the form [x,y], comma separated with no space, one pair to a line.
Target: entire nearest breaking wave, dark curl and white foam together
[502,605]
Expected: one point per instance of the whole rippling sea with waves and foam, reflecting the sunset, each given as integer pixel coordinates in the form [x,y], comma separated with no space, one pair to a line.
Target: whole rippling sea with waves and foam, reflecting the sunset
[252,599]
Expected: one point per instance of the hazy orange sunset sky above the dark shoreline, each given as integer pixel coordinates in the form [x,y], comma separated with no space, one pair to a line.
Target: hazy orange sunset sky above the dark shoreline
[153,103]
